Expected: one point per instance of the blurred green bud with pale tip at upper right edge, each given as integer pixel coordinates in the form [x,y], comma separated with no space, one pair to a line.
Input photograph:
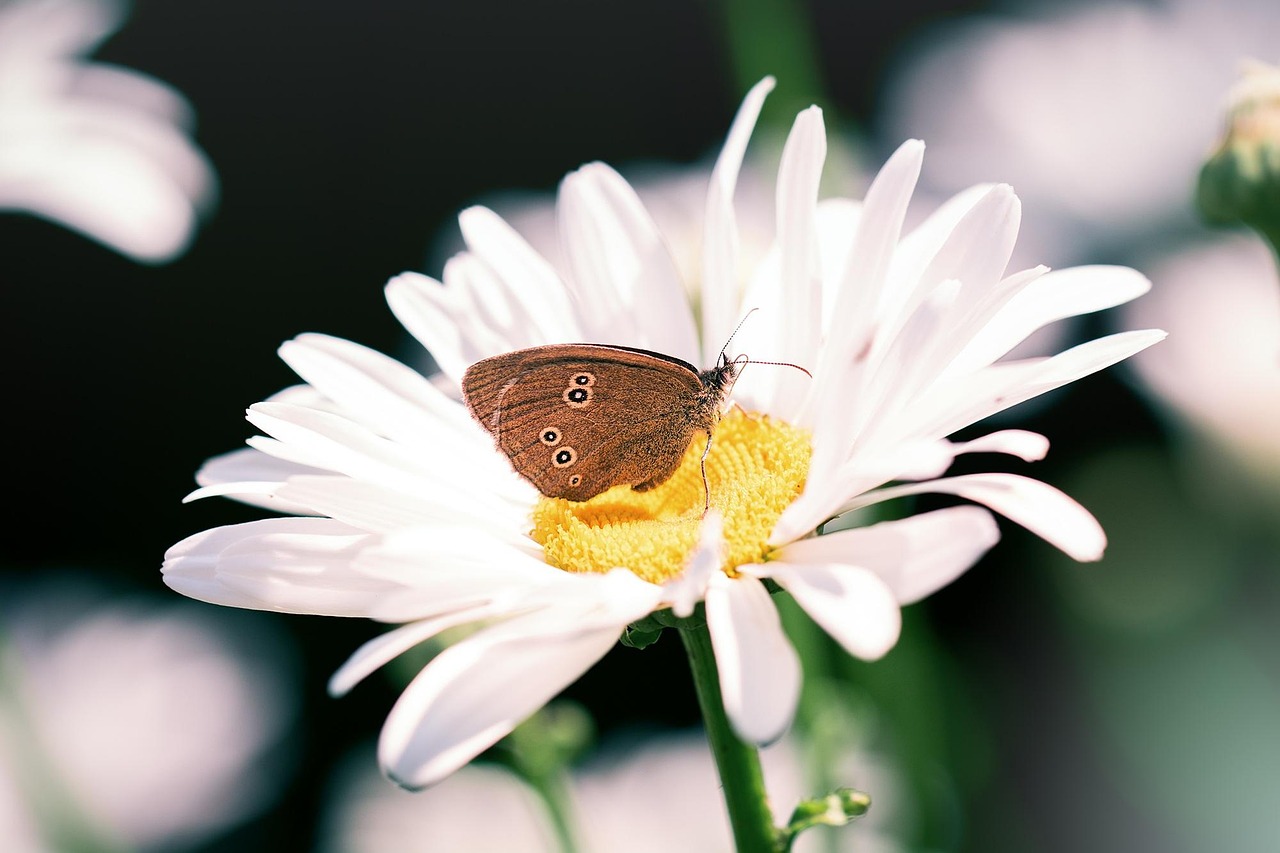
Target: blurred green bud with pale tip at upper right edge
[1241,181]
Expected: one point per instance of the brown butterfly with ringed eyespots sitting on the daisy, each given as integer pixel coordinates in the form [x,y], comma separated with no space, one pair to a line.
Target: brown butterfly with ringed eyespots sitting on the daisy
[577,419]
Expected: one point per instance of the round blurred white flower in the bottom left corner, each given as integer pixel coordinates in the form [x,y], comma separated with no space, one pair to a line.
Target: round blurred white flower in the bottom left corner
[153,723]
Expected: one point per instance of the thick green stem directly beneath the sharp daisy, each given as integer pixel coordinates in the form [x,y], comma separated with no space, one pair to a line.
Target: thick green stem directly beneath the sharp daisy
[739,764]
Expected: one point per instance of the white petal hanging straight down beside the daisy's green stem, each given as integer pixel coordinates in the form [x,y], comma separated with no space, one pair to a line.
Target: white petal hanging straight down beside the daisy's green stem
[758,669]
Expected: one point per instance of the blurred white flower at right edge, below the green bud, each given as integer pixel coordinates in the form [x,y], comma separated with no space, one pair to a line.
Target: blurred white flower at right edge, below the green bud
[1220,368]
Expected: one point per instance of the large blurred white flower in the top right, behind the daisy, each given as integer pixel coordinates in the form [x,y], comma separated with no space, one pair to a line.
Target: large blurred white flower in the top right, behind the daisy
[1099,113]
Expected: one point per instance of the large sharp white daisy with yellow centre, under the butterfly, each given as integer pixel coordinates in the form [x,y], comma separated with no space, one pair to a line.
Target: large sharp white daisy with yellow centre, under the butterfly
[414,518]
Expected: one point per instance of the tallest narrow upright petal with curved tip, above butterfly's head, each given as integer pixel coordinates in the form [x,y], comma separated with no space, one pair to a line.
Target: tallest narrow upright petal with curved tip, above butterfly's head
[721,236]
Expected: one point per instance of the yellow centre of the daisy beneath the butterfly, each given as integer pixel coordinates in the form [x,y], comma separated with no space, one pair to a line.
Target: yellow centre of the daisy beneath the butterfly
[756,469]
